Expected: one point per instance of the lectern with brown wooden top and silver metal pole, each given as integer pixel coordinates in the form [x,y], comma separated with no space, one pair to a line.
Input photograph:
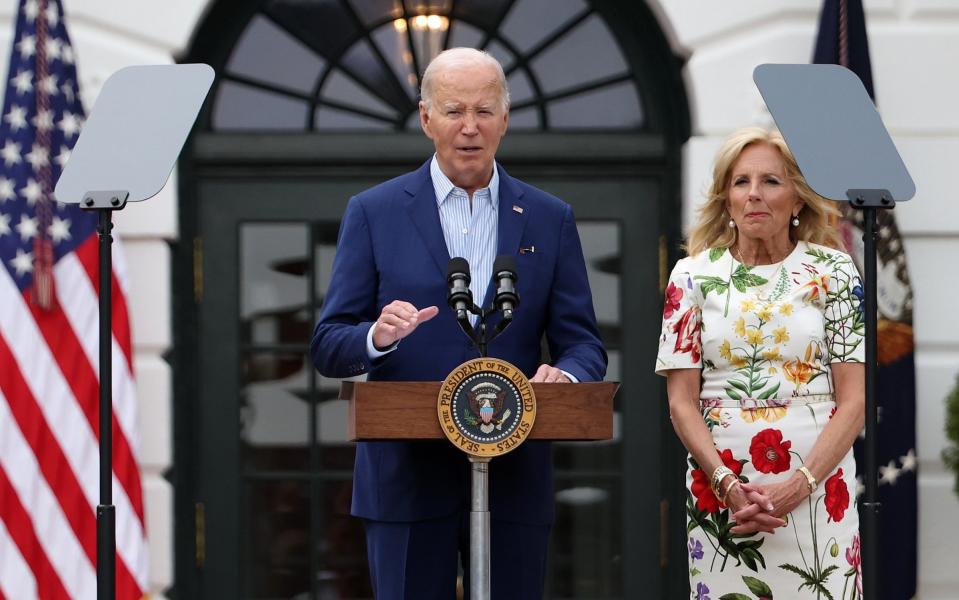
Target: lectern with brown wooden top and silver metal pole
[407,410]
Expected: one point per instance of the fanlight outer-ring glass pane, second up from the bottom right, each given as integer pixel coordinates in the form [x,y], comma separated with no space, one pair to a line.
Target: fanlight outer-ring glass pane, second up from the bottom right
[587,53]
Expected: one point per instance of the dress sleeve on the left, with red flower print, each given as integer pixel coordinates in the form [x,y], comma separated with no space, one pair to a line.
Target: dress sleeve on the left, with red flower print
[680,346]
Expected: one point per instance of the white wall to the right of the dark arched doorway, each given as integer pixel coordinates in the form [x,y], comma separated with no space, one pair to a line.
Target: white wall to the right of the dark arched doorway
[914,47]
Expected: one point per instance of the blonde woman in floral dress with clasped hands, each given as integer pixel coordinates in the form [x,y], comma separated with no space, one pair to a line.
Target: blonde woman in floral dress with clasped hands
[762,347]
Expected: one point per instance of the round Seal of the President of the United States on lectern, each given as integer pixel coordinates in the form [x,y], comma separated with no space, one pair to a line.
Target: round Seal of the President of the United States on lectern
[486,407]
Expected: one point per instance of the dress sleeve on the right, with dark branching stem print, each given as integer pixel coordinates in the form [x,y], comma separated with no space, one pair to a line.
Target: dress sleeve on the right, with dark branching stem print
[844,314]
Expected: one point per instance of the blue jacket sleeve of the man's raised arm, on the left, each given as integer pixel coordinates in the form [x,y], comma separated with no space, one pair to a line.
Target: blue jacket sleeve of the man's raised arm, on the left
[338,346]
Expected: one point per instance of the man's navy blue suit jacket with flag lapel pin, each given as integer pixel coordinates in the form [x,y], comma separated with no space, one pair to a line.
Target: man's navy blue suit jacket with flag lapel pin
[391,247]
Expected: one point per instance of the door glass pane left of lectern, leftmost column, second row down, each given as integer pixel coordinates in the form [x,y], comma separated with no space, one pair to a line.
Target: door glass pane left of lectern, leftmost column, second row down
[275,411]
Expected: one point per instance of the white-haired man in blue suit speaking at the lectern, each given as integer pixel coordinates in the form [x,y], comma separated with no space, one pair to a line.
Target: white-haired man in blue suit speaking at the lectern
[381,317]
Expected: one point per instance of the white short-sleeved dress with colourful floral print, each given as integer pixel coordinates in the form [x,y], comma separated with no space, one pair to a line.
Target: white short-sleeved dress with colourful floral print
[764,337]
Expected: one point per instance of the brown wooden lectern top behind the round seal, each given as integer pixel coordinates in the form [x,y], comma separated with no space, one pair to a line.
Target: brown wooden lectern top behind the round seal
[406,410]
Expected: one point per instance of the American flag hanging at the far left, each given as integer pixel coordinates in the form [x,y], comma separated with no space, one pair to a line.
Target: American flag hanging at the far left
[49,485]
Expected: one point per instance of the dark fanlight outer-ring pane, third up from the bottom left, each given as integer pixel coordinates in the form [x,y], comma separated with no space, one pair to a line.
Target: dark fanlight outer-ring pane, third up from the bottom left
[321,24]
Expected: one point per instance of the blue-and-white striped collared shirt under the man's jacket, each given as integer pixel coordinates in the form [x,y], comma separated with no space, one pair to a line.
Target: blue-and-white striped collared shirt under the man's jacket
[469,232]
